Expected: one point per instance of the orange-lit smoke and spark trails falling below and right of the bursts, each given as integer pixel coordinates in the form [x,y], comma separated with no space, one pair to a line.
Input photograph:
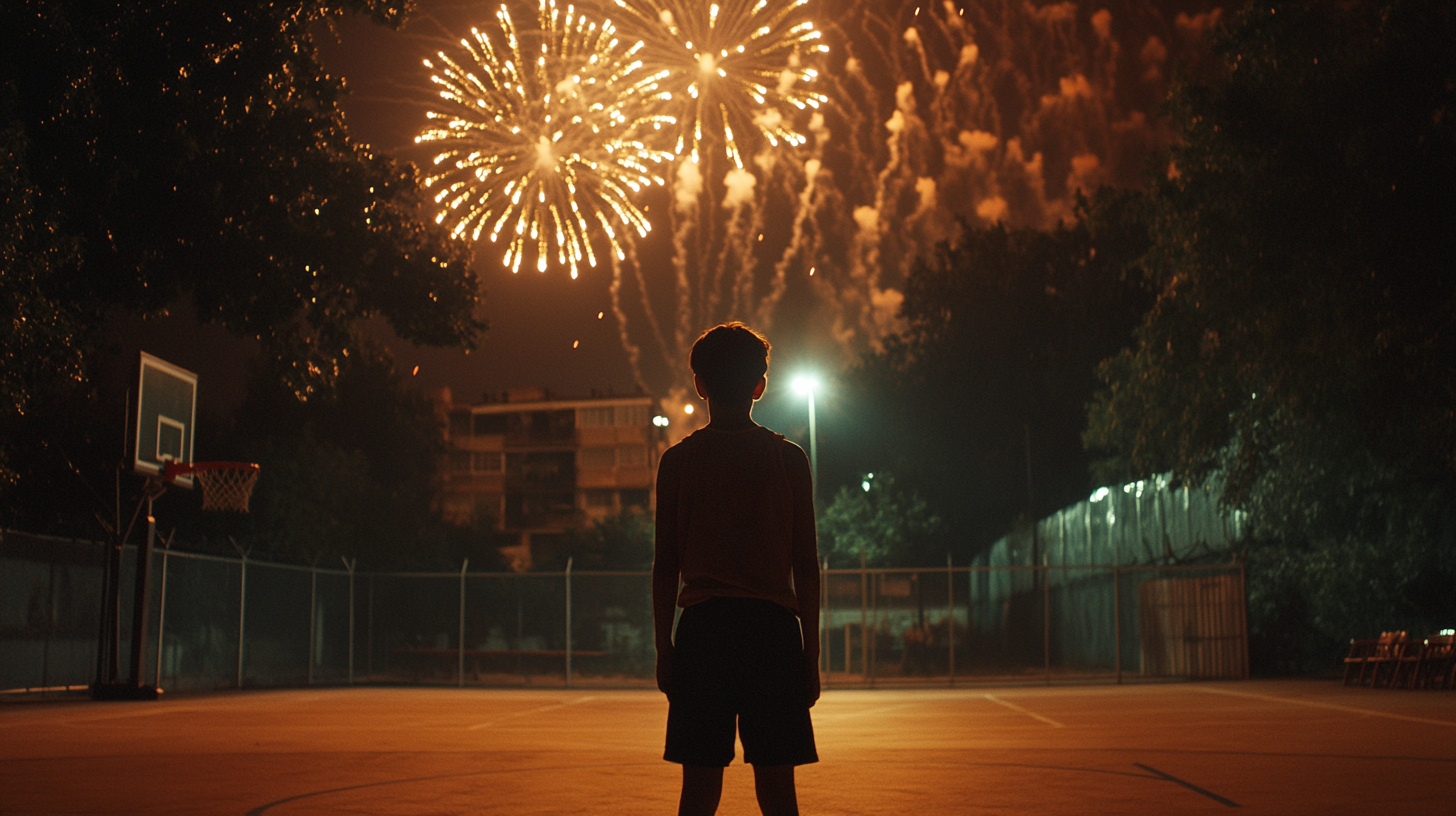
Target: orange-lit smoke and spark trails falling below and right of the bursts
[937,114]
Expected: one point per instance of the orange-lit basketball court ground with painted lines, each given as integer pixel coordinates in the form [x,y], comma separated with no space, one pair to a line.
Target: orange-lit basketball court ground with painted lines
[1267,747]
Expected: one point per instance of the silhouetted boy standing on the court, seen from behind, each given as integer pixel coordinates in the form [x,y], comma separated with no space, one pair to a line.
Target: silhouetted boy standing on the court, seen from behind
[736,524]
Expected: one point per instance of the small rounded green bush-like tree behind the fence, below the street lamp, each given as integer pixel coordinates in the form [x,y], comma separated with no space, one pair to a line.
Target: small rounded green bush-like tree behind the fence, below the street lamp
[883,525]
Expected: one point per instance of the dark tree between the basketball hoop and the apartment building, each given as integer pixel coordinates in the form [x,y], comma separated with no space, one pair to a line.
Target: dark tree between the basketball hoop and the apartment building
[349,474]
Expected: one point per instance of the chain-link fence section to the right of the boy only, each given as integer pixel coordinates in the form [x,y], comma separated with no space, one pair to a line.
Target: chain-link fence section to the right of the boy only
[1007,624]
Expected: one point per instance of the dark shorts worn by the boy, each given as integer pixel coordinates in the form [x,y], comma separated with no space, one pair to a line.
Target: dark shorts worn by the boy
[739,667]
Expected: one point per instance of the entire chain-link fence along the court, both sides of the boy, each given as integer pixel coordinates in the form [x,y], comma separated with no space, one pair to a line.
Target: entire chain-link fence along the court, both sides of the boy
[240,623]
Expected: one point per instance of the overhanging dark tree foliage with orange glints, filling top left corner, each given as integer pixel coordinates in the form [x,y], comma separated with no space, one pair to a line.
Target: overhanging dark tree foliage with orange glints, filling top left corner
[199,149]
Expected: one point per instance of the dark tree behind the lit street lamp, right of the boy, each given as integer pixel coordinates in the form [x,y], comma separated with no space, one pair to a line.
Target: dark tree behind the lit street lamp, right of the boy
[1005,330]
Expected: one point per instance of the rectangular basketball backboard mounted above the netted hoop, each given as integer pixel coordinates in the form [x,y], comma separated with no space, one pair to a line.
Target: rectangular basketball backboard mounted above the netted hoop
[167,415]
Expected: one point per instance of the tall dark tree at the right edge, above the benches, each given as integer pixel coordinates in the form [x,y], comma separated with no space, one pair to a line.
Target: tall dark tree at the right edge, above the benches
[1301,343]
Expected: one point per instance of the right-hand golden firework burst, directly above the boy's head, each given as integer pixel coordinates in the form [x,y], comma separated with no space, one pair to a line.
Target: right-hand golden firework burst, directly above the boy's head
[724,68]
